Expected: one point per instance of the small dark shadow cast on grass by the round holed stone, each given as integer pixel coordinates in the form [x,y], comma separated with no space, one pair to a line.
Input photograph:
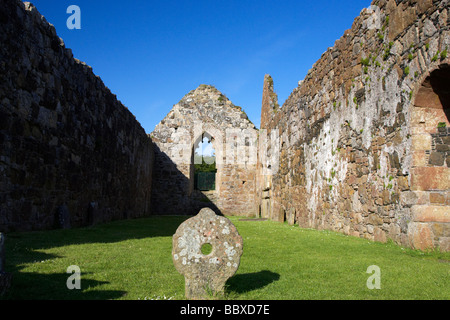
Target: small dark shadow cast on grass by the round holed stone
[242,283]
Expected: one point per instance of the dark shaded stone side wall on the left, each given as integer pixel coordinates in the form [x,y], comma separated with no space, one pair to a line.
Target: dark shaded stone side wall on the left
[70,153]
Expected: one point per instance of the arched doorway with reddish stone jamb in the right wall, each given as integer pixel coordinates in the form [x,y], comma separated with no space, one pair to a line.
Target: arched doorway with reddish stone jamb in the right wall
[430,172]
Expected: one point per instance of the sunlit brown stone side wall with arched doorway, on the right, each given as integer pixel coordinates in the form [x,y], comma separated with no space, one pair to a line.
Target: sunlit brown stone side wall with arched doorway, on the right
[361,152]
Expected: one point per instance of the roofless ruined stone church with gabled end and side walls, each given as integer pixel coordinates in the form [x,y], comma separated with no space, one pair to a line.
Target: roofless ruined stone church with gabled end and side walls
[361,146]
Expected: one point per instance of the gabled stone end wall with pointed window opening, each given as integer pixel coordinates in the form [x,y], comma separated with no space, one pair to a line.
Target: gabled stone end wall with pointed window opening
[205,111]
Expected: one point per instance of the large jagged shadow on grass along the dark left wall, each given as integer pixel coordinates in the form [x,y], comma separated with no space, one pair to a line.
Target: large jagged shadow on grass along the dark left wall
[23,248]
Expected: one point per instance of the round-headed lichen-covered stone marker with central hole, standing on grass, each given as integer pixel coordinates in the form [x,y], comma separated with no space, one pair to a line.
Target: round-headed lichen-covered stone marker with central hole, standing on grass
[205,274]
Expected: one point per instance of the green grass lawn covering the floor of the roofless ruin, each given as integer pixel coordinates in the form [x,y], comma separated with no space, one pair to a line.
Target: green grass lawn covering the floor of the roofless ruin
[132,259]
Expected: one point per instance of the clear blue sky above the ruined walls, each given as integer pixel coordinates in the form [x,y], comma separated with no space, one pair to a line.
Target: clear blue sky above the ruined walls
[152,53]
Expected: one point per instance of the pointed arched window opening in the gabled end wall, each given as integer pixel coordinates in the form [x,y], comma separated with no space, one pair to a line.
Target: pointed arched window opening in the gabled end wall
[205,165]
